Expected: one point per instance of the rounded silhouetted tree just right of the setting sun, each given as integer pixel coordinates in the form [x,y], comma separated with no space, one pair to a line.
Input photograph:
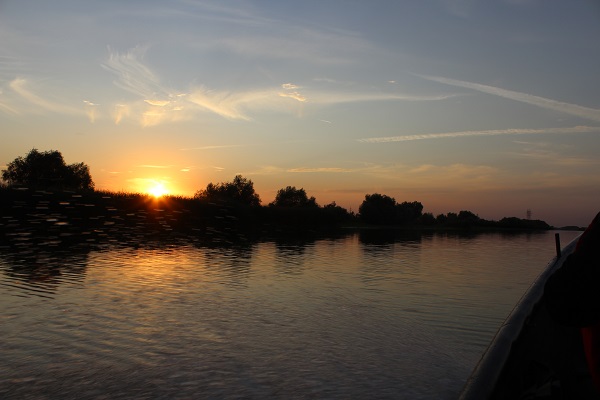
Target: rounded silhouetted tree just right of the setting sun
[240,190]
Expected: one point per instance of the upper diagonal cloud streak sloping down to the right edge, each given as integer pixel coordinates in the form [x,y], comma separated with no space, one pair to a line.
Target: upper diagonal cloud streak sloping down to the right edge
[567,108]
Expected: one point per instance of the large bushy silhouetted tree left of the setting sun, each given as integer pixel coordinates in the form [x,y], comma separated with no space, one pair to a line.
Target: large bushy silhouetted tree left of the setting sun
[47,170]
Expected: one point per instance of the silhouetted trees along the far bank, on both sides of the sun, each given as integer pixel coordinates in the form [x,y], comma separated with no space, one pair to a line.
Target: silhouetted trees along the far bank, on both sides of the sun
[292,206]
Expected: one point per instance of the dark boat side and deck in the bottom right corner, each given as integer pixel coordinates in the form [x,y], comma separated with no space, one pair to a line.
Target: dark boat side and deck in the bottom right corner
[531,356]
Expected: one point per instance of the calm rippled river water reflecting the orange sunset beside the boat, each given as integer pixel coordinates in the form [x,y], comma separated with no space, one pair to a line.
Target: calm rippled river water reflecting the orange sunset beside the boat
[364,315]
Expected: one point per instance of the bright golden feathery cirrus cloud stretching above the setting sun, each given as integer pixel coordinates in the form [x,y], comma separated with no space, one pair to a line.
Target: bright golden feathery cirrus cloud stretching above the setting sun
[158,104]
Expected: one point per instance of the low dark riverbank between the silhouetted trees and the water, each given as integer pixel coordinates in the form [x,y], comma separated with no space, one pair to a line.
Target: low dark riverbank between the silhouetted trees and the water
[57,218]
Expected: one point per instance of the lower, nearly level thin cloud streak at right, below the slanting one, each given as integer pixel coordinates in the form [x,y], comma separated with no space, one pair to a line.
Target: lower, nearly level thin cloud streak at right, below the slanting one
[494,132]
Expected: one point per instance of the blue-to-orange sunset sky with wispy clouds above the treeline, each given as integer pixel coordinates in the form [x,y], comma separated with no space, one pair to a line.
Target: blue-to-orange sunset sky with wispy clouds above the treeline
[486,106]
